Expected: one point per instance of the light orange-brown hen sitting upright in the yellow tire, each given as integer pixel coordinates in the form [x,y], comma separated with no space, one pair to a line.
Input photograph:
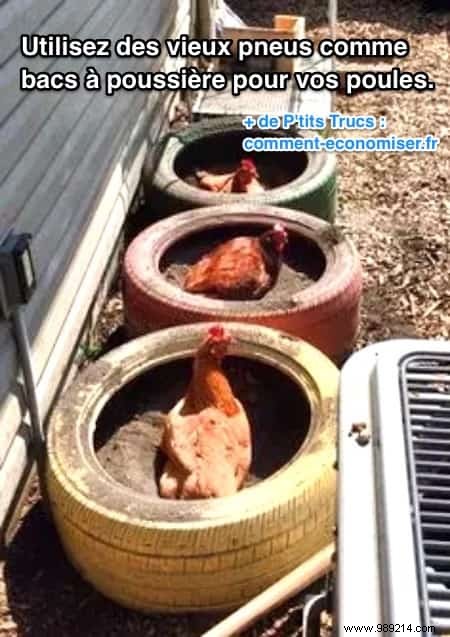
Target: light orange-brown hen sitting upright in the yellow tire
[207,437]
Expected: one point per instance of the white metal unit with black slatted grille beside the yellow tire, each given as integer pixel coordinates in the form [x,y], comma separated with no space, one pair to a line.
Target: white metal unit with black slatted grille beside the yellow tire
[393,531]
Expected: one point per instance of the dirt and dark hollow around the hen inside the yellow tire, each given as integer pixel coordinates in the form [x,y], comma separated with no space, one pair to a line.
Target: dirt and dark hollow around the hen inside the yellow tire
[128,431]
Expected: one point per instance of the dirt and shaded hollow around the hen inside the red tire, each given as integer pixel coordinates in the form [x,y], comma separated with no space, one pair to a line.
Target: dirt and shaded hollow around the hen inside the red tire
[303,263]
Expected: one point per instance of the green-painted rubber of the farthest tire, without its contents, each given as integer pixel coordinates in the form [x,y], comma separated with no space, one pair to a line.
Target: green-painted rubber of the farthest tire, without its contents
[312,191]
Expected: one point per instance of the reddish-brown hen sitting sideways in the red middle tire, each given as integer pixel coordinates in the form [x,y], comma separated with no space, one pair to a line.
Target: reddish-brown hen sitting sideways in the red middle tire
[242,268]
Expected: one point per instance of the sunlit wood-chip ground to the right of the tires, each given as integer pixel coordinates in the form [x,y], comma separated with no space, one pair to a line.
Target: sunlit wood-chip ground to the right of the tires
[395,206]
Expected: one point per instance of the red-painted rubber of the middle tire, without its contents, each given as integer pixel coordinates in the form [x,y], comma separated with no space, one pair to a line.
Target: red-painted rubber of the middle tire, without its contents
[326,313]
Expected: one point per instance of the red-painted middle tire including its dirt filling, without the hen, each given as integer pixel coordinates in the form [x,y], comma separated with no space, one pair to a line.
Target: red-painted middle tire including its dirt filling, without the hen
[323,311]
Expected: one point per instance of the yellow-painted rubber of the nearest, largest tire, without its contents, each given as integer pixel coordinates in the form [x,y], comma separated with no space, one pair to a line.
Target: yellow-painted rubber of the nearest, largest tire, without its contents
[171,556]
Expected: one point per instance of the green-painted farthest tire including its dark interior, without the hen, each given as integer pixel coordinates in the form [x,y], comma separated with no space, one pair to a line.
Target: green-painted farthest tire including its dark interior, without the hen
[298,180]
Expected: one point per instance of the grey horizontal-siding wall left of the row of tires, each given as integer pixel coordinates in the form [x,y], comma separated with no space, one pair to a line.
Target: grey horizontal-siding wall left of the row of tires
[69,164]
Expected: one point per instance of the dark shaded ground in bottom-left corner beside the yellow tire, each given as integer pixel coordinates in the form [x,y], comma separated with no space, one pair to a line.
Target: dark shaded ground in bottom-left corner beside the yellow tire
[47,598]
